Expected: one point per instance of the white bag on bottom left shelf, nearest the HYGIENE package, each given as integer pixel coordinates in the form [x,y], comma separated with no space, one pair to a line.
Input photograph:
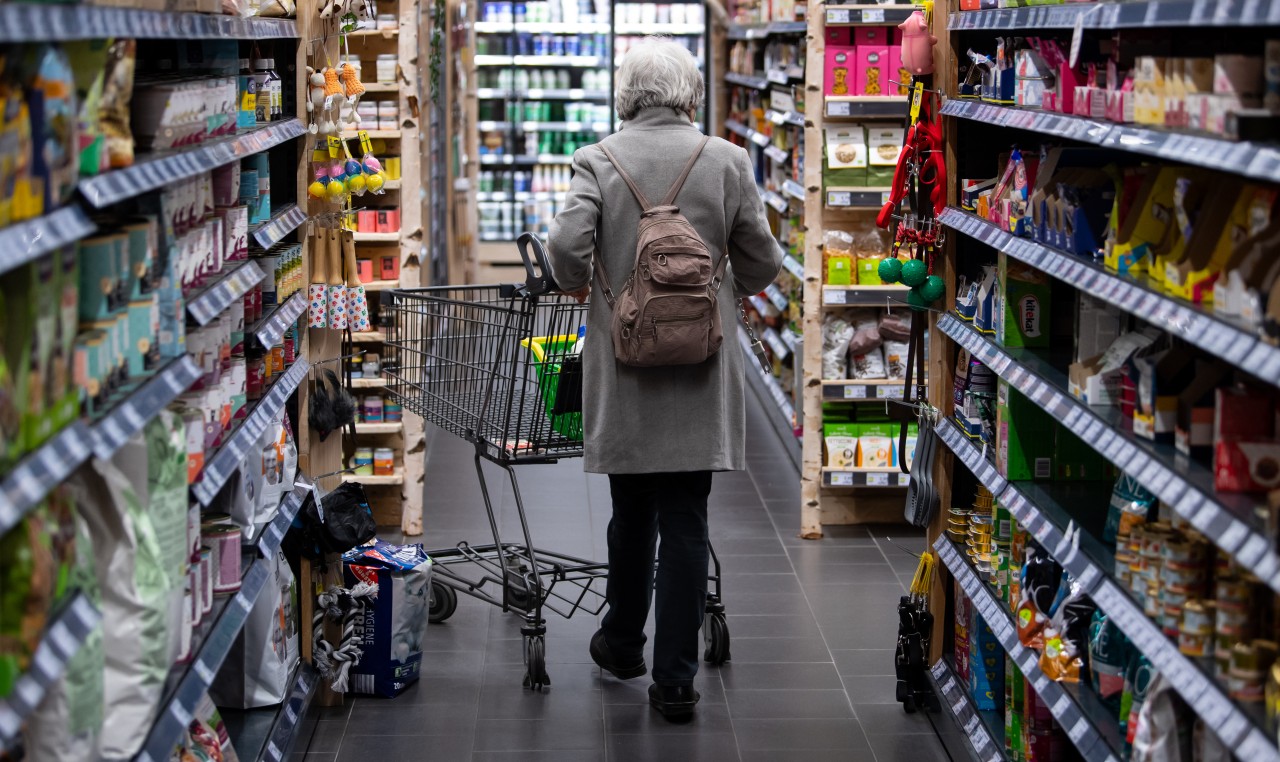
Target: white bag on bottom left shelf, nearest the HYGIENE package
[258,669]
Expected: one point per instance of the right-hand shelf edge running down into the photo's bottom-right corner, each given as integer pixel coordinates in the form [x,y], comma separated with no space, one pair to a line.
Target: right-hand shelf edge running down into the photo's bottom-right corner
[1086,562]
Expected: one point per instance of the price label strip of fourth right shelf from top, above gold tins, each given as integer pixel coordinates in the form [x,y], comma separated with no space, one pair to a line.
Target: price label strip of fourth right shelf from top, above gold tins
[1203,509]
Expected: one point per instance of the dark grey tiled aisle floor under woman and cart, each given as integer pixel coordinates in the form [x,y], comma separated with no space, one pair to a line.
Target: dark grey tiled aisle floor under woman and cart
[812,627]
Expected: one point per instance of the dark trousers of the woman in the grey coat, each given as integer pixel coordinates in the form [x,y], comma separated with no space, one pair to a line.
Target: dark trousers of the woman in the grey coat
[648,507]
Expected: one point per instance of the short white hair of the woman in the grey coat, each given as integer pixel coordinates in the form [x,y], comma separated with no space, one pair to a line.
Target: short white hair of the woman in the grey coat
[659,72]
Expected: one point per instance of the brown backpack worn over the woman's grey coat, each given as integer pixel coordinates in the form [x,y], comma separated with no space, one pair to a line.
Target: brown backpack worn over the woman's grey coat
[668,312]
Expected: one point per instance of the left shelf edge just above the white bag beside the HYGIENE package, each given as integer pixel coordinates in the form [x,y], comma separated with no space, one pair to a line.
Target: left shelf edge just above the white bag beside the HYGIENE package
[193,681]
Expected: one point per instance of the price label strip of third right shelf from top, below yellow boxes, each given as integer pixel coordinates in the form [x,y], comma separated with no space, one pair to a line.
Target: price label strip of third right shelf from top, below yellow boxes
[1183,321]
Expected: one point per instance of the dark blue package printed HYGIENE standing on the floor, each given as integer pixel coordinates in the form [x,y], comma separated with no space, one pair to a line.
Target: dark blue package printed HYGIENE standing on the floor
[395,624]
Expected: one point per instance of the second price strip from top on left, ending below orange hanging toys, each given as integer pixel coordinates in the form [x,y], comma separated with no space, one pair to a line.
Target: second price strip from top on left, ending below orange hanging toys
[149,175]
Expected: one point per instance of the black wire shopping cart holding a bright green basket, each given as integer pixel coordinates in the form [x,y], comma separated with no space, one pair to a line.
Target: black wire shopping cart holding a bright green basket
[497,367]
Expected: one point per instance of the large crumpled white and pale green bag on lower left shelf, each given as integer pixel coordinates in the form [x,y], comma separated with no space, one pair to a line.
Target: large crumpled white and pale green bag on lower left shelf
[136,512]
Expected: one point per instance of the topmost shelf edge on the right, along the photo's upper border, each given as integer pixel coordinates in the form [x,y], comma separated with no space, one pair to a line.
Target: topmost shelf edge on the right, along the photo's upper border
[1124,16]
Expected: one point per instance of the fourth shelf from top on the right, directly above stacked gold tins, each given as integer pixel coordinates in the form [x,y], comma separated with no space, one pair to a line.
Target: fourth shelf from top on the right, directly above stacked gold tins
[1229,521]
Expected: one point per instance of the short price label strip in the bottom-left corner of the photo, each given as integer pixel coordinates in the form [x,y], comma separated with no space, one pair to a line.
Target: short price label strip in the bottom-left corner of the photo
[62,640]
